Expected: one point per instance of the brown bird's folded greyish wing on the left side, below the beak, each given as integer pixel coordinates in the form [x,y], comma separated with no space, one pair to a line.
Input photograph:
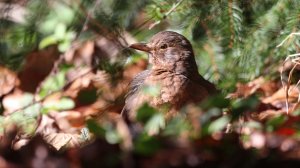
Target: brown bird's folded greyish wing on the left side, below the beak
[134,87]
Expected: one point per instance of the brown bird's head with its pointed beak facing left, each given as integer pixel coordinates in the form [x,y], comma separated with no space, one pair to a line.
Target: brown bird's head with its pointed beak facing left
[169,51]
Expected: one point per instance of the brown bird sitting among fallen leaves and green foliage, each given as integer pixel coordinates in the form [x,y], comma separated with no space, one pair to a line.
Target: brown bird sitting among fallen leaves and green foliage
[173,69]
